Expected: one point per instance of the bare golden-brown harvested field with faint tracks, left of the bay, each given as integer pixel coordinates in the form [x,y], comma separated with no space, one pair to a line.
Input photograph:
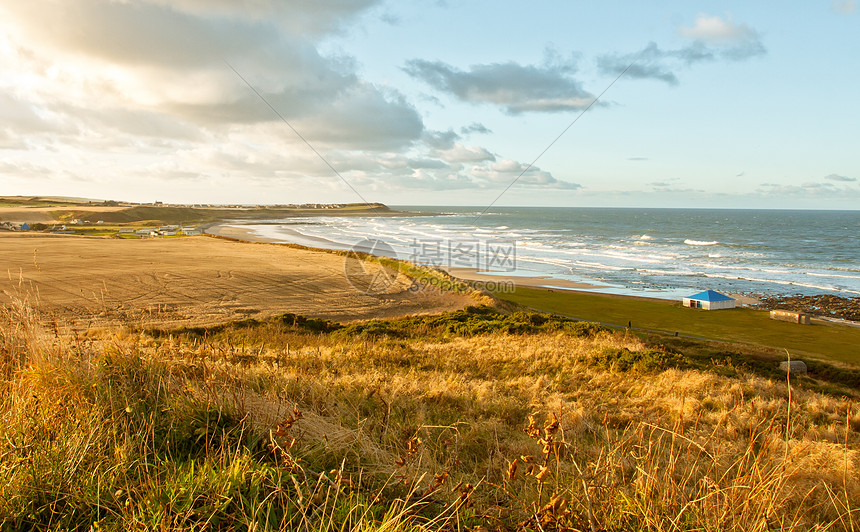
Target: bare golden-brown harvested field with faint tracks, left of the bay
[191,281]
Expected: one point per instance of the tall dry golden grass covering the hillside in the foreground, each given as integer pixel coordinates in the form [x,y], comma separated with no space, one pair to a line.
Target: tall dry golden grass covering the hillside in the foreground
[275,427]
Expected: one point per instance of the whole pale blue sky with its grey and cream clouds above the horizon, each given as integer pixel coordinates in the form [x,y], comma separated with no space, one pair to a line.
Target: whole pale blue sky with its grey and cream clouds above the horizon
[677,103]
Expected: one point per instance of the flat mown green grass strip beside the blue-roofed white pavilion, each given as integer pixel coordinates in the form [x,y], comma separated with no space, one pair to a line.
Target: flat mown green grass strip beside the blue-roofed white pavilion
[829,341]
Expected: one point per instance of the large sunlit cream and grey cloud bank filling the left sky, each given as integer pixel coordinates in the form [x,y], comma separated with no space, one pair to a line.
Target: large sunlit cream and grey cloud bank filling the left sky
[128,92]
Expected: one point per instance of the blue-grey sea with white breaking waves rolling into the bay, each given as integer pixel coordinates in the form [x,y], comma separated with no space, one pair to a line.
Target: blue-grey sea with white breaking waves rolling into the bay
[648,252]
